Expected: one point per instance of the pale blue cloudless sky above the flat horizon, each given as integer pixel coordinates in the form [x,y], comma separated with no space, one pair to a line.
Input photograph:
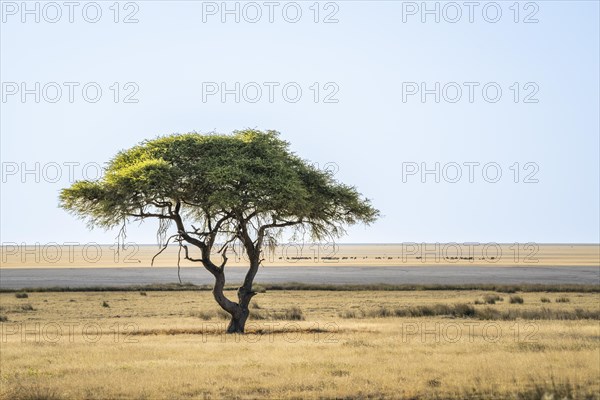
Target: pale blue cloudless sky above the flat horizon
[368,133]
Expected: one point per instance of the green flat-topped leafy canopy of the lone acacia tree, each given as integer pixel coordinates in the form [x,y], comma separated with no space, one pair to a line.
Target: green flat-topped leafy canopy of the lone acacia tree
[248,174]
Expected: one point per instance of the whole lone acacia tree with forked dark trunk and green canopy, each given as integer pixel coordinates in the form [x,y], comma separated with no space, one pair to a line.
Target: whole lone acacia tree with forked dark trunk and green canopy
[218,191]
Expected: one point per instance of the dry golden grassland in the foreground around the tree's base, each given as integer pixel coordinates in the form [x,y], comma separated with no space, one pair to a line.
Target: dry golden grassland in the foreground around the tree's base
[417,344]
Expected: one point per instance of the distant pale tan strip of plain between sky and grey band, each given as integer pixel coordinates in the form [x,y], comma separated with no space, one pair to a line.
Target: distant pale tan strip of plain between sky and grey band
[52,255]
